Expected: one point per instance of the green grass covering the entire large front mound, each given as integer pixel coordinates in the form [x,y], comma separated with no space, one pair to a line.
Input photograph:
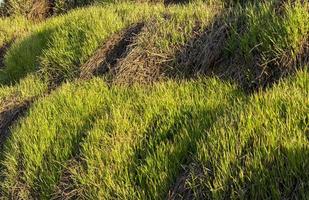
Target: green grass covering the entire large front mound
[109,143]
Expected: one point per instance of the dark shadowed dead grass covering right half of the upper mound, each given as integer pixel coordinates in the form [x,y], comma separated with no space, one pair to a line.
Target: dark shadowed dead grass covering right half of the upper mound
[208,54]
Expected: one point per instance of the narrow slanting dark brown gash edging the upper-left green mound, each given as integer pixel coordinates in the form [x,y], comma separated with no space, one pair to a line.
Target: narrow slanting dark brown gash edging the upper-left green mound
[106,57]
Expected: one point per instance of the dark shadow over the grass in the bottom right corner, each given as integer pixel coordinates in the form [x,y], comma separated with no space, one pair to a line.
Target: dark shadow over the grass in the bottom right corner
[283,174]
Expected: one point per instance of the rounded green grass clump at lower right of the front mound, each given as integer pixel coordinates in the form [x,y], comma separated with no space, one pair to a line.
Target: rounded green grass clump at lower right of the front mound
[256,142]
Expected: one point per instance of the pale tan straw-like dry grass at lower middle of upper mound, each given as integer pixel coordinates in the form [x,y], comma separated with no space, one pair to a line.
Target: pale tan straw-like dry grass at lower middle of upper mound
[143,64]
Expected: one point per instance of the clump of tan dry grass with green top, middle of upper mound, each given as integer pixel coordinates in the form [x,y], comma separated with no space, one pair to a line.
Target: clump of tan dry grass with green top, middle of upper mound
[154,53]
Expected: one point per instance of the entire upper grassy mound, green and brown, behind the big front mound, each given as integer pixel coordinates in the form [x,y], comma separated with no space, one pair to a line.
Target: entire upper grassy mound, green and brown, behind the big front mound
[254,44]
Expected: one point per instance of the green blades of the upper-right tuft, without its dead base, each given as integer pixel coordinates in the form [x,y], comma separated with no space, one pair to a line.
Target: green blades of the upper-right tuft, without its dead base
[274,37]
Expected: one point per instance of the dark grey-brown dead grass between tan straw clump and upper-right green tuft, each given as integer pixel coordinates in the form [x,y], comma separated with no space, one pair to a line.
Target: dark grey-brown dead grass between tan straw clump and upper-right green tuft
[203,53]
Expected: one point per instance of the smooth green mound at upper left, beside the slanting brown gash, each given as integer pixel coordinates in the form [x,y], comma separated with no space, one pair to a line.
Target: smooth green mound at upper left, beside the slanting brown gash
[61,45]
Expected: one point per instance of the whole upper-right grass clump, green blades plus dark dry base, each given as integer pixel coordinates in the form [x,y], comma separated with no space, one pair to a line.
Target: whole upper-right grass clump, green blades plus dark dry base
[268,38]
